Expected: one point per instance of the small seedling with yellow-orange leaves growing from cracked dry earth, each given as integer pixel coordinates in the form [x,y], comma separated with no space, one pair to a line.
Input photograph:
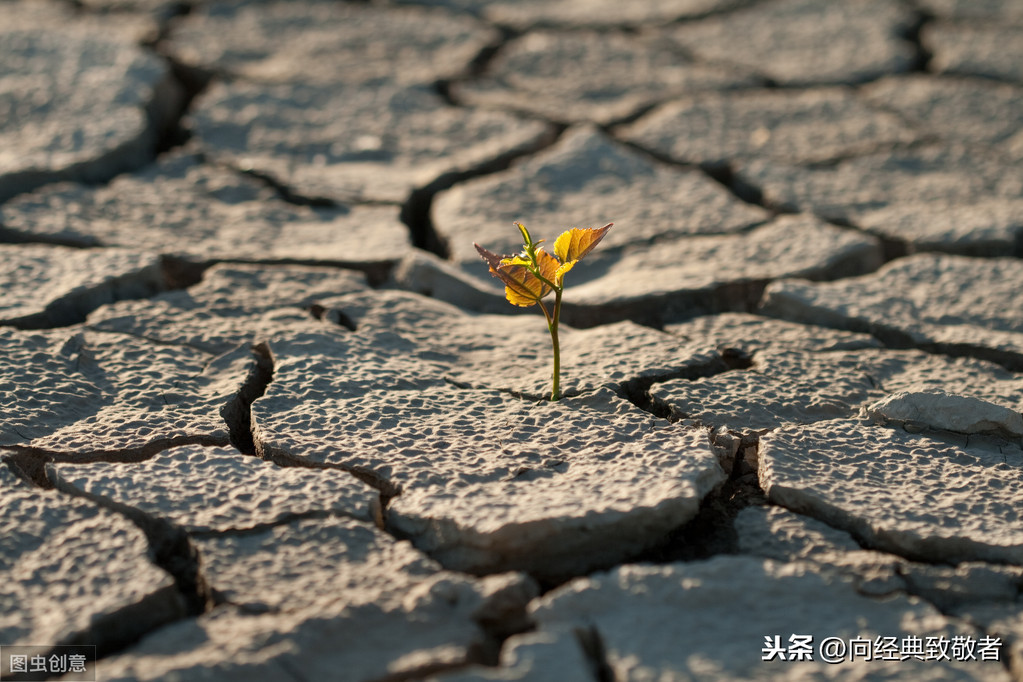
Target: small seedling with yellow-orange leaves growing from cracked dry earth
[533,274]
